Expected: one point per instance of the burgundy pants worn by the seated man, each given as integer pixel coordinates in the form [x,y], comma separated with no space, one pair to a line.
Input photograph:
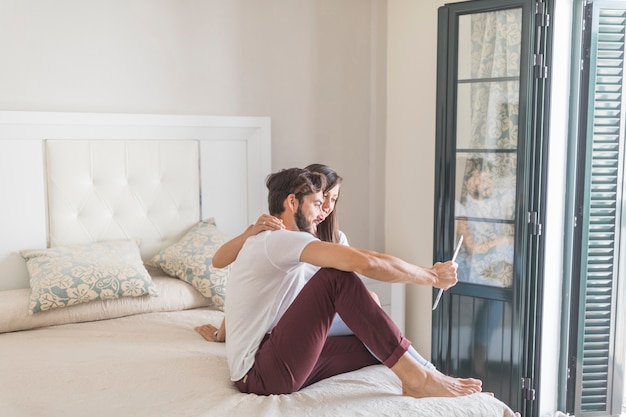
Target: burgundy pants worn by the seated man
[298,353]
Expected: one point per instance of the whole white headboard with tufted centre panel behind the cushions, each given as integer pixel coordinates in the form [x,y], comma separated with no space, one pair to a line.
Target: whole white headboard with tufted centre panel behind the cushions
[68,178]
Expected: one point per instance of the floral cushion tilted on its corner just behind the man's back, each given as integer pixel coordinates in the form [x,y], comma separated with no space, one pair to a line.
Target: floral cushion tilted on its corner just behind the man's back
[190,260]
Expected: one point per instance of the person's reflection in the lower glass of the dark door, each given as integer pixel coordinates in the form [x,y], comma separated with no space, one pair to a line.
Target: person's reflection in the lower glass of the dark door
[486,256]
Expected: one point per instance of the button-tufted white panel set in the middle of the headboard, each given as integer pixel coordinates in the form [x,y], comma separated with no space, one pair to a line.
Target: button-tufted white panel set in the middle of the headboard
[147,190]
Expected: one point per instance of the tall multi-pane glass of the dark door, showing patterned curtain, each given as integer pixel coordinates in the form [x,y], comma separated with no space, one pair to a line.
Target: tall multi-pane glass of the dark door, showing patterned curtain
[486,144]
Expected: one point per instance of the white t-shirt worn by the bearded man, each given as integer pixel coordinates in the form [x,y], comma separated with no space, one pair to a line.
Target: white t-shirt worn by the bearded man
[264,280]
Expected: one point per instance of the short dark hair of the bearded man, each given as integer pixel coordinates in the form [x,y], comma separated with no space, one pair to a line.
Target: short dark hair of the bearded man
[298,181]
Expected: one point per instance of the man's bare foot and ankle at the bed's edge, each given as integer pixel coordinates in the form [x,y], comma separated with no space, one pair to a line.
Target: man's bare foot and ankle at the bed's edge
[420,382]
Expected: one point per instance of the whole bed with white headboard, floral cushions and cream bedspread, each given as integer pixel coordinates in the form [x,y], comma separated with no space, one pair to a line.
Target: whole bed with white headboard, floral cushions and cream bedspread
[108,222]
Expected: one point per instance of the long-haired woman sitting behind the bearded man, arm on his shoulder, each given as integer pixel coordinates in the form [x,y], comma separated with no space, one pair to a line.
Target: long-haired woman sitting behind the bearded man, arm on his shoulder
[327,230]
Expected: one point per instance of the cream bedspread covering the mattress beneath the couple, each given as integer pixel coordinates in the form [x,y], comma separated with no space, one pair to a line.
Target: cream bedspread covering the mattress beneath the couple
[155,365]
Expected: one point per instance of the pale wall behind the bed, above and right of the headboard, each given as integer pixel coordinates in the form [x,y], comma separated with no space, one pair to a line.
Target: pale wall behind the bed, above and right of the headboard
[316,67]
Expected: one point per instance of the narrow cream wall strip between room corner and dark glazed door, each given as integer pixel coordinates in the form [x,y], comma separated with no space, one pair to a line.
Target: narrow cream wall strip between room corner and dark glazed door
[411,69]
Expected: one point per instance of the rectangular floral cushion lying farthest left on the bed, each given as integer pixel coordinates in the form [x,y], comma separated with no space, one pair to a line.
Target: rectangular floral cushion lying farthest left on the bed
[68,275]
